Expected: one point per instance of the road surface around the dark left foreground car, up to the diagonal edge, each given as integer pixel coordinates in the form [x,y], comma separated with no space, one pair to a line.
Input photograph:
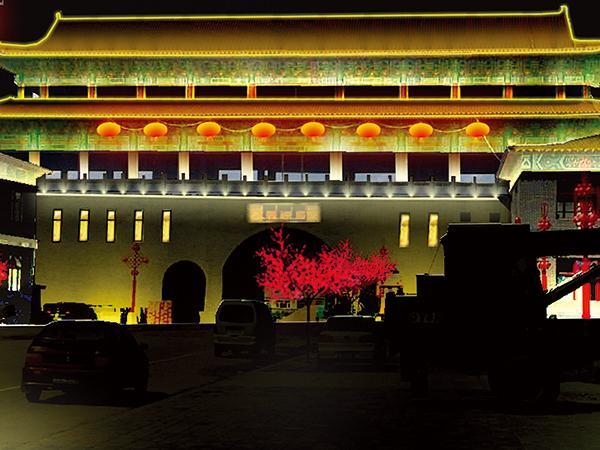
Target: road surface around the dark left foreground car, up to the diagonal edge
[180,360]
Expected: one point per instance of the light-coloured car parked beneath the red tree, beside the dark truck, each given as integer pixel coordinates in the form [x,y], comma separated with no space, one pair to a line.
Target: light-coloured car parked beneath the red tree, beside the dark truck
[351,339]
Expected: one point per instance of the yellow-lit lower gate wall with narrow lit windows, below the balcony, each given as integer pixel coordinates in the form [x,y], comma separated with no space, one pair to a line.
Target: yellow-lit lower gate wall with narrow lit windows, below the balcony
[207,230]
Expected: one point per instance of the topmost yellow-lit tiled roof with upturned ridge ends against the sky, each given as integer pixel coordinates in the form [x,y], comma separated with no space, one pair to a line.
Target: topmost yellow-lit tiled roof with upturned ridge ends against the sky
[309,35]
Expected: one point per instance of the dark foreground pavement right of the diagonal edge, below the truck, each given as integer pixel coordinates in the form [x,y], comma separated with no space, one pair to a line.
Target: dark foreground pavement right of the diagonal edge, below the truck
[293,405]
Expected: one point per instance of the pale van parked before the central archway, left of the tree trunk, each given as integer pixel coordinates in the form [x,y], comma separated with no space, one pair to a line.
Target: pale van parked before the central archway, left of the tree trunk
[244,325]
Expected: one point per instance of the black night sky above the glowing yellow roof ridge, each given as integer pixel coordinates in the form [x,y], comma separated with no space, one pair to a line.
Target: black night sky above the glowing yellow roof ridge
[28,20]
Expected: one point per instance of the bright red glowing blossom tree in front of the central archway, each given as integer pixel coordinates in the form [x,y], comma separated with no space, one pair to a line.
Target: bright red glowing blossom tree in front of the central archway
[288,273]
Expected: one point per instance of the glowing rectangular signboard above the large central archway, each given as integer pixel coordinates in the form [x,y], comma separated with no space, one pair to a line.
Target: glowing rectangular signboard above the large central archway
[284,213]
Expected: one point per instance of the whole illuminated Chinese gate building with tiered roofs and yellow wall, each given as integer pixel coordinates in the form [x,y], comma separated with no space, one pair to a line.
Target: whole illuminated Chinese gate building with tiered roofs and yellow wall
[208,142]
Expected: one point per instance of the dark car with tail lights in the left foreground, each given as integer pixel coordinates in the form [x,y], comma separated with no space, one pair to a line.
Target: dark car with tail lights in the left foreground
[84,355]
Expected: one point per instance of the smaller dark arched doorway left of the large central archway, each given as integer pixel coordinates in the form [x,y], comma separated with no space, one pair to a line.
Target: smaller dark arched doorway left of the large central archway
[184,283]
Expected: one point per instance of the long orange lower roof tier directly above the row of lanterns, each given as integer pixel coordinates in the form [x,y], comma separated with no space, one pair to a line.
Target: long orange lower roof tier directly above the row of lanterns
[294,108]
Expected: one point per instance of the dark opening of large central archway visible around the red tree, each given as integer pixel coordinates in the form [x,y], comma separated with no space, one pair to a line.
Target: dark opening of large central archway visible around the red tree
[242,266]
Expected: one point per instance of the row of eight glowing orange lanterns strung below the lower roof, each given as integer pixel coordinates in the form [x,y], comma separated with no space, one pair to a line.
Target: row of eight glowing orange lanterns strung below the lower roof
[265,130]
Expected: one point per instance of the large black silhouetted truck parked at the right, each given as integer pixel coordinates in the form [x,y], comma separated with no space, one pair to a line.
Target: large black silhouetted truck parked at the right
[487,313]
